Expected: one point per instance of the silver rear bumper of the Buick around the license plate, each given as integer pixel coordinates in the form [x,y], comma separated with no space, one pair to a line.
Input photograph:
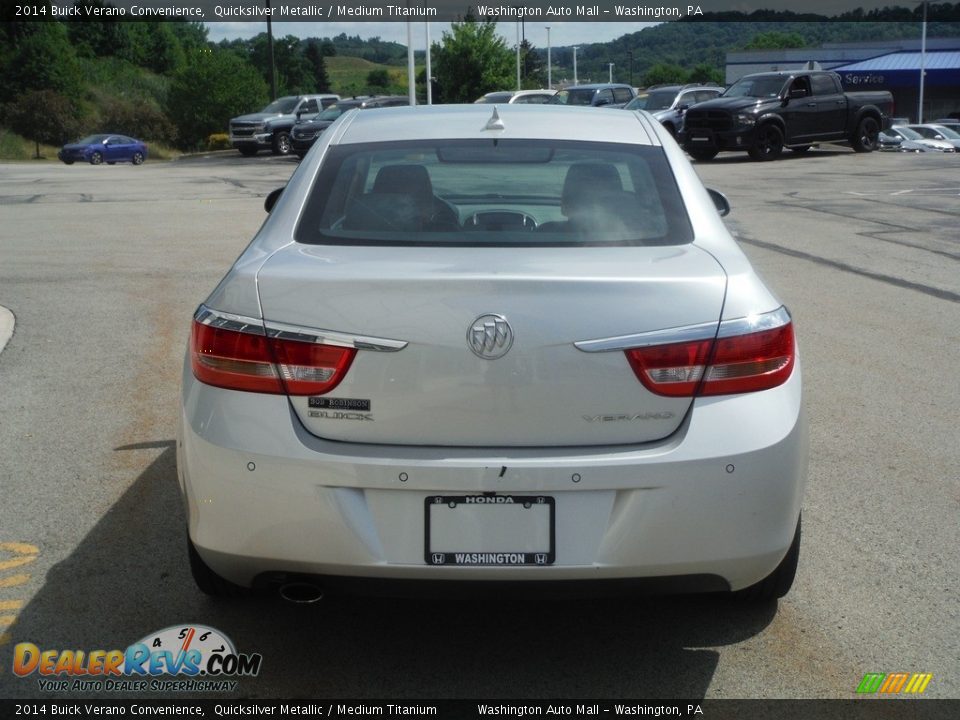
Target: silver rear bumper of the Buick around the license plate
[712,507]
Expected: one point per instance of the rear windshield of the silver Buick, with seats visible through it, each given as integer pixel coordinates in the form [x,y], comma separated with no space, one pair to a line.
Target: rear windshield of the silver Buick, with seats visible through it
[495,192]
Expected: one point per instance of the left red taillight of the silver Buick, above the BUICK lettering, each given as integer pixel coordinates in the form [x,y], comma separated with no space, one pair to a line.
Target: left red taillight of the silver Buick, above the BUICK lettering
[246,361]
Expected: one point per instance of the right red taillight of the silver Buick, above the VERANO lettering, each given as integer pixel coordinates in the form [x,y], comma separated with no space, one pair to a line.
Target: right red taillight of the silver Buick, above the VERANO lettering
[747,355]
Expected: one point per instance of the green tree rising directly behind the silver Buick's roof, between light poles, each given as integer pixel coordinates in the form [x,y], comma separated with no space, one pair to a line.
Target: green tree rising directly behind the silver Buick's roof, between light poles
[472,60]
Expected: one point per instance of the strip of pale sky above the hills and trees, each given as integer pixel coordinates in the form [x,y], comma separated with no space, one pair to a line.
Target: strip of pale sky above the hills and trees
[561,34]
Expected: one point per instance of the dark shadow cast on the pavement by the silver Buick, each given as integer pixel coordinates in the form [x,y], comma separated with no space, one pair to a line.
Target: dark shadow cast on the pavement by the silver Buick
[129,578]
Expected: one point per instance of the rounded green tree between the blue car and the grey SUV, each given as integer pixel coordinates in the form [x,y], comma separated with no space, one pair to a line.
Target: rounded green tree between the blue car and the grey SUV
[212,87]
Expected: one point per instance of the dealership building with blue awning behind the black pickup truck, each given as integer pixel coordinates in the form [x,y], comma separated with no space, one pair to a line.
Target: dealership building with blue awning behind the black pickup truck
[890,65]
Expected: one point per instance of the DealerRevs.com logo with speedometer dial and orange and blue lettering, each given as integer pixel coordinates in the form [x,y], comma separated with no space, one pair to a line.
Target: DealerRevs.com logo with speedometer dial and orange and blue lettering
[187,658]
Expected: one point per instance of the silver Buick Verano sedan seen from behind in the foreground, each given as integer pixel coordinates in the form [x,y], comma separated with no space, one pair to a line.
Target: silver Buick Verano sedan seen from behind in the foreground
[493,344]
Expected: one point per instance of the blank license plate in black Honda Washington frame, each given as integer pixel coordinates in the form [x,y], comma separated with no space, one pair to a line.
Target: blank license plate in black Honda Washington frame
[489,530]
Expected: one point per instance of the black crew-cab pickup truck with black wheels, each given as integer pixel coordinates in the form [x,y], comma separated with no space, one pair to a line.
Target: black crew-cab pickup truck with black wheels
[766,112]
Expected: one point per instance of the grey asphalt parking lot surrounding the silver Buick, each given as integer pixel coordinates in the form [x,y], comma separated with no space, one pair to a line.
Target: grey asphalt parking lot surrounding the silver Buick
[102,268]
